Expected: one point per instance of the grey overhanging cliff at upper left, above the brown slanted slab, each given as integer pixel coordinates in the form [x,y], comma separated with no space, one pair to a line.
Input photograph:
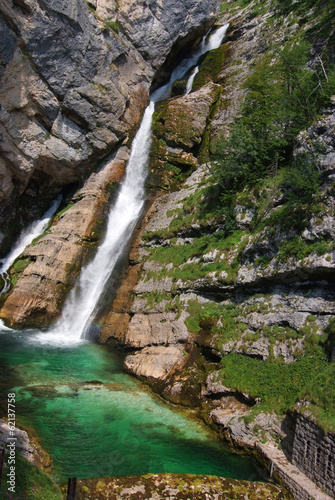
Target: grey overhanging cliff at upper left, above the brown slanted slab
[75,78]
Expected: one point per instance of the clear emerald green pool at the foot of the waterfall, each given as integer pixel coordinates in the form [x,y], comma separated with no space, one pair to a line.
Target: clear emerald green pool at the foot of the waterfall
[96,420]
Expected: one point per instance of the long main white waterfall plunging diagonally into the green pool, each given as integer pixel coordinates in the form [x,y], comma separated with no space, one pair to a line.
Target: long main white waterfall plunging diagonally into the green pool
[80,306]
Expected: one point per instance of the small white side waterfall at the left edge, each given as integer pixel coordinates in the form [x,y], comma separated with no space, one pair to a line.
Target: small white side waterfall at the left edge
[34,230]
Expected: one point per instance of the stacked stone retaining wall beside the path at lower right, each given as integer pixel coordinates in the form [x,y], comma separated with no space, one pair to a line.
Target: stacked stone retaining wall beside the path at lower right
[314,453]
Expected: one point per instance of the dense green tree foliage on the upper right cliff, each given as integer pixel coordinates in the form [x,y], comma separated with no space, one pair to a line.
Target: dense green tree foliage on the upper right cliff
[283,98]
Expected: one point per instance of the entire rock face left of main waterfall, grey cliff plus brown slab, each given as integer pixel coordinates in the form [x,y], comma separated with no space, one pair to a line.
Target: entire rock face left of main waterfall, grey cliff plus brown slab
[75,79]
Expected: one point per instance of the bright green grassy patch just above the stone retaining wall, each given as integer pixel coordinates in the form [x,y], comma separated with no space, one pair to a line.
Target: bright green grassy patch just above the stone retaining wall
[281,386]
